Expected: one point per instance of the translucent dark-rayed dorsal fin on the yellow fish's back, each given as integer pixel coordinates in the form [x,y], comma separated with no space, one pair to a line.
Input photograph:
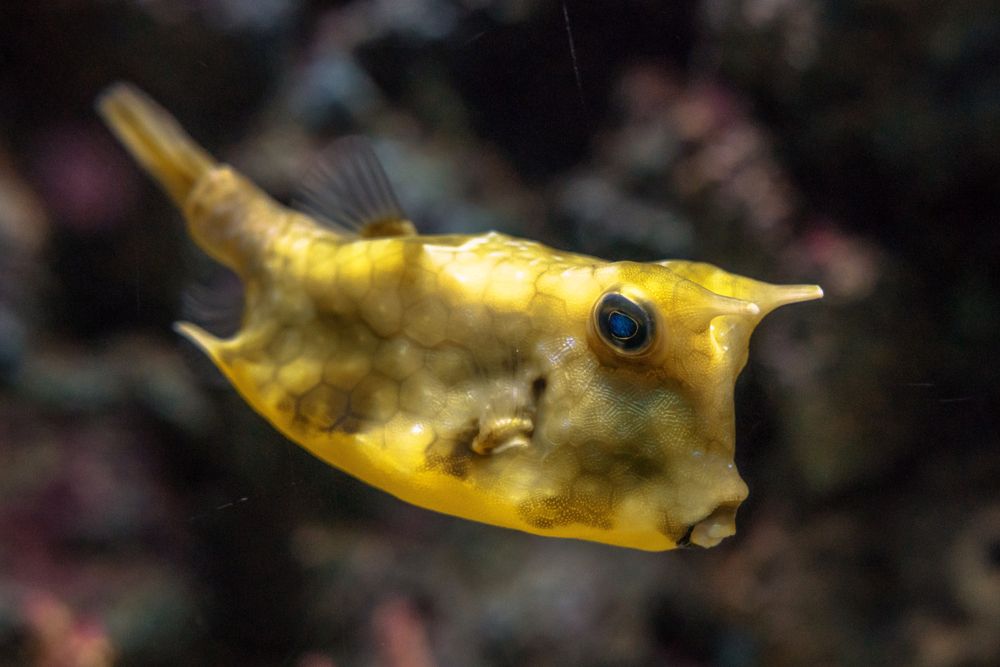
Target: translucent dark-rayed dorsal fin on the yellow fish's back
[348,190]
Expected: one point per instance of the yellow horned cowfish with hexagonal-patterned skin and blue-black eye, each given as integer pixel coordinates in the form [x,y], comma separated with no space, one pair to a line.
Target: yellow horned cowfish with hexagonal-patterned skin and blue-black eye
[483,376]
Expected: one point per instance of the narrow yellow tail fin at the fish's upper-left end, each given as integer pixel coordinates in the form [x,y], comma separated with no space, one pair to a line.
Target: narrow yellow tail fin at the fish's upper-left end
[155,139]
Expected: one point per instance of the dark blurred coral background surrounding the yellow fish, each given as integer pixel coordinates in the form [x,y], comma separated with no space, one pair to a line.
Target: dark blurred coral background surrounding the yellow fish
[148,517]
